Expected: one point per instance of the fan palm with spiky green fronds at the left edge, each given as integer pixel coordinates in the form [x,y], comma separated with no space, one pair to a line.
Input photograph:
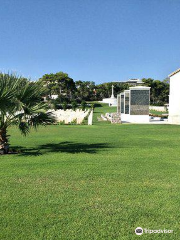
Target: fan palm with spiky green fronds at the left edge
[21,105]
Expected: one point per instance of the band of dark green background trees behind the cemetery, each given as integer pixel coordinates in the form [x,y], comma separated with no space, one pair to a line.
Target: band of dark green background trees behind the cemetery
[69,90]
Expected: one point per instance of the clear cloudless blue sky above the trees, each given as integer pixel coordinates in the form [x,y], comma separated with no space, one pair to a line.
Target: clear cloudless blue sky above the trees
[91,40]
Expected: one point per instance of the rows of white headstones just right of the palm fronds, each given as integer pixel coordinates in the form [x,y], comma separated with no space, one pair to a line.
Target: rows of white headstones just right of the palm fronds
[69,116]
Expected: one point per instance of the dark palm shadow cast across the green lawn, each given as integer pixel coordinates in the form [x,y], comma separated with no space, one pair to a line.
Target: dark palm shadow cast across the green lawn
[63,147]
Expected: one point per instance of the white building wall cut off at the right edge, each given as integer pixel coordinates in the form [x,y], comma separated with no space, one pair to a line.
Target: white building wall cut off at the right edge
[174,98]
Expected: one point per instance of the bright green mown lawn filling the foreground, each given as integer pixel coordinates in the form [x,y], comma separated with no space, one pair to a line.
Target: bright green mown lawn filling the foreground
[95,182]
